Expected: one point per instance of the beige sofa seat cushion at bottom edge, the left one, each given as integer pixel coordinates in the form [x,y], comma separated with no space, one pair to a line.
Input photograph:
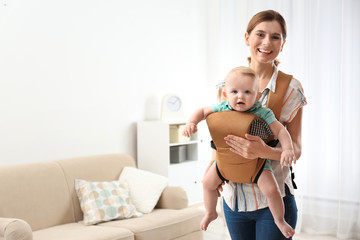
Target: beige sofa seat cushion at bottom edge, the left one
[78,231]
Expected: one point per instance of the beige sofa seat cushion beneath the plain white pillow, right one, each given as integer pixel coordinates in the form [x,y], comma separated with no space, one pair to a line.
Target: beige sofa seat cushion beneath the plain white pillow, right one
[162,224]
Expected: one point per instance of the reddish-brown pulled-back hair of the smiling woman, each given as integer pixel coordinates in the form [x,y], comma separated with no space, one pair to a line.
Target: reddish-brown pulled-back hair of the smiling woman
[267,16]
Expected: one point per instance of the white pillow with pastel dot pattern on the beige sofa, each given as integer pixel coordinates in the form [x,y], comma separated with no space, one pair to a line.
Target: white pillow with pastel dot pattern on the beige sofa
[104,201]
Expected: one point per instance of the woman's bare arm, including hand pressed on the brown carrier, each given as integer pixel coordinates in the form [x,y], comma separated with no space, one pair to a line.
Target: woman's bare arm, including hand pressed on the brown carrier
[254,147]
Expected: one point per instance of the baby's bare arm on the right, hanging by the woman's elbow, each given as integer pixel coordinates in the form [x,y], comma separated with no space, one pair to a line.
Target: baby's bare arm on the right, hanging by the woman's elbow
[280,132]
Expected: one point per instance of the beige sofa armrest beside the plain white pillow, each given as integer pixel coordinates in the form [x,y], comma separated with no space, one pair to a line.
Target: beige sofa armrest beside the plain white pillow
[173,197]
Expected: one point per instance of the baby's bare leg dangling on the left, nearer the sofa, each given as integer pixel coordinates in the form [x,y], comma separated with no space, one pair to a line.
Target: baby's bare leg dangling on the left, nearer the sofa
[211,182]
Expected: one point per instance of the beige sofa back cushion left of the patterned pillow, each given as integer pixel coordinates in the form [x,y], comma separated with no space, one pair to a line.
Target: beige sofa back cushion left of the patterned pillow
[36,193]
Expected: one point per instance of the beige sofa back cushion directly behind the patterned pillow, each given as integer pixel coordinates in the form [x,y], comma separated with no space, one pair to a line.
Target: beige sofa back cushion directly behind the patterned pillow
[105,167]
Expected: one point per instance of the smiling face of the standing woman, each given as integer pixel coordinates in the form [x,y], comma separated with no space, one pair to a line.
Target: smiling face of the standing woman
[265,41]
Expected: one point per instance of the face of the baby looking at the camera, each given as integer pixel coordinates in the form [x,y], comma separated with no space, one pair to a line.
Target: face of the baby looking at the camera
[241,91]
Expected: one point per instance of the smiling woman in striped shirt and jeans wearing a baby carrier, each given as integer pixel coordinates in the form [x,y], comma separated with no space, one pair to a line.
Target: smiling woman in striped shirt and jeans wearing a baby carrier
[245,208]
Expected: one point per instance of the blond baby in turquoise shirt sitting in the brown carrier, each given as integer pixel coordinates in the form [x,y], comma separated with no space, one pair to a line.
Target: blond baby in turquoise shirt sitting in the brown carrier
[241,92]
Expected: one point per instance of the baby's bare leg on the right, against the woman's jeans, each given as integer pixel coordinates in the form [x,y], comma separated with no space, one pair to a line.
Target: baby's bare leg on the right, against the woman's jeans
[269,188]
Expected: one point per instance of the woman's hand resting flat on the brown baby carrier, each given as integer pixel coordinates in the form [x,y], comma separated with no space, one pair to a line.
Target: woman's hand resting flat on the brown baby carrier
[249,147]
